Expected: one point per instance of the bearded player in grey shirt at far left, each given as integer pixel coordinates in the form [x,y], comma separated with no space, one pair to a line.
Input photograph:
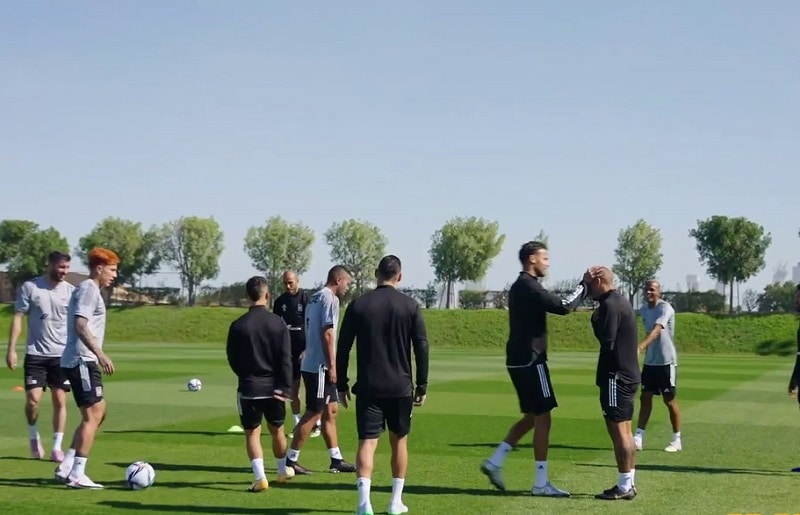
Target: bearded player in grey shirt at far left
[44,300]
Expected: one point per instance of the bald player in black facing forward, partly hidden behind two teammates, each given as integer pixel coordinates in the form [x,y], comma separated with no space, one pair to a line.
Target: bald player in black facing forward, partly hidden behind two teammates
[291,306]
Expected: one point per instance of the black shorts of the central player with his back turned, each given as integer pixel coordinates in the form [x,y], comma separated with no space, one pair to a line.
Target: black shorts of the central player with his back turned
[373,416]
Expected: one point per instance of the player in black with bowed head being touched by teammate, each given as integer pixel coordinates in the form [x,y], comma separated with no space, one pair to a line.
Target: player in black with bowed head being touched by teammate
[616,329]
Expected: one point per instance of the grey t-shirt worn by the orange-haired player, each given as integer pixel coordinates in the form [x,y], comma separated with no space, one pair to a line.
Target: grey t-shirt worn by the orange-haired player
[86,302]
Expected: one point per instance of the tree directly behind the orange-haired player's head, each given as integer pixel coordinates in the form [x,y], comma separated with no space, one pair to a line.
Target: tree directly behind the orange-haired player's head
[136,248]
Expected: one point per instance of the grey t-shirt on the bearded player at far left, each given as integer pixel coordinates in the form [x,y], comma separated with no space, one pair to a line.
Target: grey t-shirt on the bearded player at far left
[46,307]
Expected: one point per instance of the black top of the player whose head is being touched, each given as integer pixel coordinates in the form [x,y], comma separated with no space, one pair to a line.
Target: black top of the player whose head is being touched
[616,328]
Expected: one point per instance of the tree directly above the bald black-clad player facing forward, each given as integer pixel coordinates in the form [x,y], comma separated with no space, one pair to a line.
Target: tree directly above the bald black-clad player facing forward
[277,246]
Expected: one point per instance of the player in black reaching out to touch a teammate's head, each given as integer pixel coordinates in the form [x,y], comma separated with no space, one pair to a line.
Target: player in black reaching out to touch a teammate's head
[526,360]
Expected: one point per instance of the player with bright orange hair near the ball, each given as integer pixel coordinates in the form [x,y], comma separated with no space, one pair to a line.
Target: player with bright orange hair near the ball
[84,361]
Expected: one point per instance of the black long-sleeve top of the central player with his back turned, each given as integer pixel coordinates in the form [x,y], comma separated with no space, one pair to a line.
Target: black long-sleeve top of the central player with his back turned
[386,324]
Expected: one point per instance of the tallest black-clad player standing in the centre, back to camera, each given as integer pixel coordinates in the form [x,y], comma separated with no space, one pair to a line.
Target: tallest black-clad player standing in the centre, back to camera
[386,324]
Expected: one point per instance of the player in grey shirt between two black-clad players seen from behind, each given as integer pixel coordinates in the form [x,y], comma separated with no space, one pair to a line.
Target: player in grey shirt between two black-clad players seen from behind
[318,369]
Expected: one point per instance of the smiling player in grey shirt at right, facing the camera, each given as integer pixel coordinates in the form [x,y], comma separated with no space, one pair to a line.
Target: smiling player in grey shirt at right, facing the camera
[660,364]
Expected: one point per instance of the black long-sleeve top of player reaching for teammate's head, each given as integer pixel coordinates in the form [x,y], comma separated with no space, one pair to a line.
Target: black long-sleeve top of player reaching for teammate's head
[528,305]
